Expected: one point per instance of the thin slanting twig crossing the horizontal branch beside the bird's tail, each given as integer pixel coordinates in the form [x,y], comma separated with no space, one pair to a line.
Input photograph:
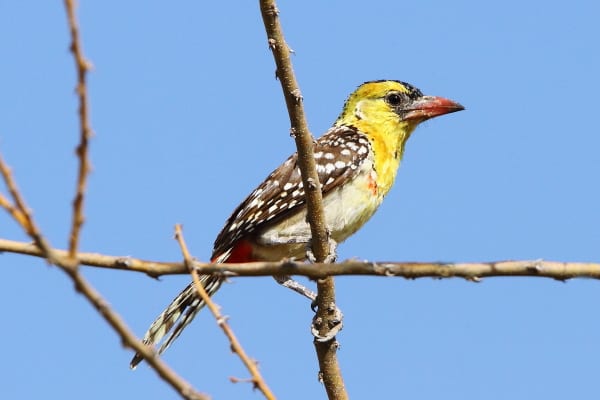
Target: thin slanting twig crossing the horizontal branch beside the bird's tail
[236,347]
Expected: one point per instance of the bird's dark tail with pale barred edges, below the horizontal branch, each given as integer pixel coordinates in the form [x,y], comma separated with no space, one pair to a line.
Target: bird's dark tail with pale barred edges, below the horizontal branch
[177,316]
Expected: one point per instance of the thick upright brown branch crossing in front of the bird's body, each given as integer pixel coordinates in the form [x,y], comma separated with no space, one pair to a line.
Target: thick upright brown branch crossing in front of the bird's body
[326,351]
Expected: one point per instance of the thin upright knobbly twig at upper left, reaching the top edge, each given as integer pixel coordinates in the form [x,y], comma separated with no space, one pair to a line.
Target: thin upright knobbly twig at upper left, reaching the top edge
[82,66]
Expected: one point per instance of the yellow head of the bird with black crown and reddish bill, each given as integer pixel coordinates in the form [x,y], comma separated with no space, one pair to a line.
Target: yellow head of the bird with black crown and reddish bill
[392,105]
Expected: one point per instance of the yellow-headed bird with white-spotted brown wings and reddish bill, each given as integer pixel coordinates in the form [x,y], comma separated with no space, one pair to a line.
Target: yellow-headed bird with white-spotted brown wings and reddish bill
[357,160]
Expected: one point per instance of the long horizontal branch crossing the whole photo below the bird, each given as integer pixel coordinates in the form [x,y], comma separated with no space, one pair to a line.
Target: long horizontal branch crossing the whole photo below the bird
[411,270]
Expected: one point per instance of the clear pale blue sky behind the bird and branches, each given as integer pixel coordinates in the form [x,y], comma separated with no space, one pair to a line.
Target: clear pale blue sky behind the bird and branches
[189,118]
